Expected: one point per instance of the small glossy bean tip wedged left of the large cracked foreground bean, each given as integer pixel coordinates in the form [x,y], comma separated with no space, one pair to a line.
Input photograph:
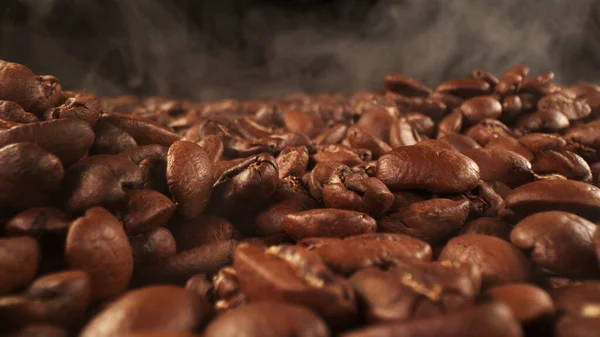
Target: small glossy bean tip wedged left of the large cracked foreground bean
[227,292]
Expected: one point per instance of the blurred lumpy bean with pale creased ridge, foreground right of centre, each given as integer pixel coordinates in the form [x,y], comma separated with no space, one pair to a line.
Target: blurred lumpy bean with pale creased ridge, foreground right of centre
[413,289]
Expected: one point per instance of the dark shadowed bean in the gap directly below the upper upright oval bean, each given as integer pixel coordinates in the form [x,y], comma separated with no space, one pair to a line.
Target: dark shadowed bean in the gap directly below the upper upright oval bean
[201,230]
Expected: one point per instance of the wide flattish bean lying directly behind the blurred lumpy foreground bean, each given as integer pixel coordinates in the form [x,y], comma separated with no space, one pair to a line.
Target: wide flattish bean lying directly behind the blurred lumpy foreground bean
[357,252]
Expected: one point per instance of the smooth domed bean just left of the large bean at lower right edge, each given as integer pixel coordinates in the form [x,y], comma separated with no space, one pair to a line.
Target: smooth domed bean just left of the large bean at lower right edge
[499,261]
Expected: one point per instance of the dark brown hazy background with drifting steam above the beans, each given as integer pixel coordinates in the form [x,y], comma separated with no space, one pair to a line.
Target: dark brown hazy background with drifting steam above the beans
[265,48]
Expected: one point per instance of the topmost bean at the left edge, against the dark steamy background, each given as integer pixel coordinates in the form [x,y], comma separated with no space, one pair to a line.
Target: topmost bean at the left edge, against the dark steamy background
[20,85]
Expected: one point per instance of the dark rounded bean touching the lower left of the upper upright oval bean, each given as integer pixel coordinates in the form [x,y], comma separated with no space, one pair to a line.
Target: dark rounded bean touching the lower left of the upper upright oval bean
[146,210]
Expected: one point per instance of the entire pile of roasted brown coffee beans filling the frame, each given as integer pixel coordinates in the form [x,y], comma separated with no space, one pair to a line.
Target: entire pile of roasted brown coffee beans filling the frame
[469,209]
